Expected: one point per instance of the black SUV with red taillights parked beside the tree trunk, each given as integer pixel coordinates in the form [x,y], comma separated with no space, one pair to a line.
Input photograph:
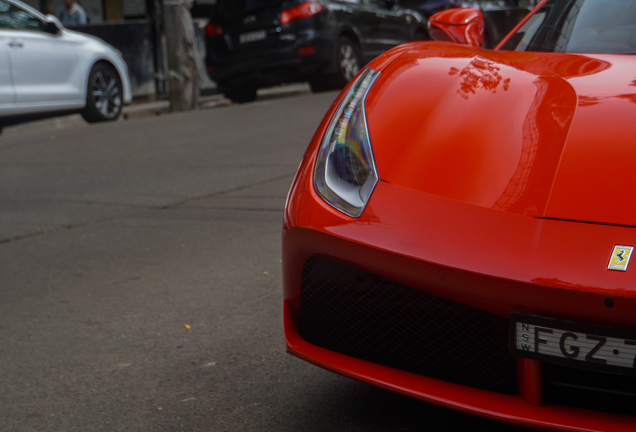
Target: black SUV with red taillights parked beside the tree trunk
[258,43]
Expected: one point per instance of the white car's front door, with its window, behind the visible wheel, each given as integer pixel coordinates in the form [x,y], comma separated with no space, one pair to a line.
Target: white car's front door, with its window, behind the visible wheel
[45,65]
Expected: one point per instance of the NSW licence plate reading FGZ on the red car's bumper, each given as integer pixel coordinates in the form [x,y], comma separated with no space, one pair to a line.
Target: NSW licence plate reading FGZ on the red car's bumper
[573,344]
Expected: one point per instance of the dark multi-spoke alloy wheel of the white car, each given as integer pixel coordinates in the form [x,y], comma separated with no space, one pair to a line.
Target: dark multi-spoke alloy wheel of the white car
[104,94]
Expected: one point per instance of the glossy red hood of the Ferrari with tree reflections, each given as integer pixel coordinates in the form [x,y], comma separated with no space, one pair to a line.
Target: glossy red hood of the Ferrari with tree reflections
[539,134]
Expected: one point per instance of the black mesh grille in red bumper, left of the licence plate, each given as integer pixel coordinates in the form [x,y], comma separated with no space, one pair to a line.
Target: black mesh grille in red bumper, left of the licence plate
[365,316]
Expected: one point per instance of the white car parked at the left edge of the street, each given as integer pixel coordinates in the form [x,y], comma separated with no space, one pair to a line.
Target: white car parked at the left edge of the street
[47,70]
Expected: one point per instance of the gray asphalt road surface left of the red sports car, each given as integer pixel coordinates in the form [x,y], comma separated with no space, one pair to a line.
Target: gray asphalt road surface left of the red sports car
[140,282]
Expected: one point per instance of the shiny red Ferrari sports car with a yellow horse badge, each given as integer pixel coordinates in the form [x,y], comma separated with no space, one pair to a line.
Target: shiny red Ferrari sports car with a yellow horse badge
[460,229]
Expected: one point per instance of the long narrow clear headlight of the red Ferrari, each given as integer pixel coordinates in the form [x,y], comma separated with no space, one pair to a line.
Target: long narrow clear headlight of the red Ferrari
[345,173]
